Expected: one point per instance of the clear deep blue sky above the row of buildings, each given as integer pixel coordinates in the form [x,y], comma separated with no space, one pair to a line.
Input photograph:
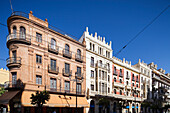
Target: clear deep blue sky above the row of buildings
[117,20]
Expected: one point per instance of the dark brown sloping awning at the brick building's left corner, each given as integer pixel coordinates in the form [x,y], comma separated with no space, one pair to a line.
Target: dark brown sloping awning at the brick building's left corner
[6,97]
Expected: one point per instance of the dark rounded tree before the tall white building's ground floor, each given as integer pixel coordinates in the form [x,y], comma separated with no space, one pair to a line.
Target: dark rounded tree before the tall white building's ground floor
[104,102]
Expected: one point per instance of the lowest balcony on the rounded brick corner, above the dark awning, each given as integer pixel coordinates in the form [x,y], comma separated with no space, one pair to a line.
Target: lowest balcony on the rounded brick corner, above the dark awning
[13,85]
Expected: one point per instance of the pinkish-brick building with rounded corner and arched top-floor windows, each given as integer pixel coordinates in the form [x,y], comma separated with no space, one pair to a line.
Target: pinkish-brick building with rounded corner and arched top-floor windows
[43,58]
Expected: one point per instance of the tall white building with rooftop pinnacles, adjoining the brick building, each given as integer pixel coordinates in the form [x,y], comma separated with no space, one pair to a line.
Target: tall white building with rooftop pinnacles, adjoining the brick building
[98,70]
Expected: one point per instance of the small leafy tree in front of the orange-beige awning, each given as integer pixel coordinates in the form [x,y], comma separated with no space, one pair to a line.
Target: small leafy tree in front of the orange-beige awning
[40,98]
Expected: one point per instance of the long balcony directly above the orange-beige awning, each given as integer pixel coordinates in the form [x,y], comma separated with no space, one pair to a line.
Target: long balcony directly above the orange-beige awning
[62,90]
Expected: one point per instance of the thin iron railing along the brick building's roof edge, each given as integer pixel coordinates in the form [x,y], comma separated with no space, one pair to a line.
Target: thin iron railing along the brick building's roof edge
[18,13]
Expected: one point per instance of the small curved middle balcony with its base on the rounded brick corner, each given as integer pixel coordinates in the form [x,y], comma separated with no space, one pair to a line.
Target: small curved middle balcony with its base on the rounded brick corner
[13,62]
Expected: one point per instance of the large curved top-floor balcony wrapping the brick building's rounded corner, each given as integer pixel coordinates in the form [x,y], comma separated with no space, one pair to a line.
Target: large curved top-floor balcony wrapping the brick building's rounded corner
[18,38]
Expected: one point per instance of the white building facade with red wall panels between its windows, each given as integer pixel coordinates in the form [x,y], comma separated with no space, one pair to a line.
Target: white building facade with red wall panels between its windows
[126,89]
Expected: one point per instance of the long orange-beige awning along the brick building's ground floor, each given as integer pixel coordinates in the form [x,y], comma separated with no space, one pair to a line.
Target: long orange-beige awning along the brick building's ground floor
[56,100]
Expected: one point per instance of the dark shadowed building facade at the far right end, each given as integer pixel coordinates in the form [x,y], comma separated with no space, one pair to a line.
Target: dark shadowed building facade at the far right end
[160,89]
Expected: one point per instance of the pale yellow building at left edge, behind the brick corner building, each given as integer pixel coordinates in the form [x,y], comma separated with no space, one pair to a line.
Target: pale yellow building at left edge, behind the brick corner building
[4,76]
